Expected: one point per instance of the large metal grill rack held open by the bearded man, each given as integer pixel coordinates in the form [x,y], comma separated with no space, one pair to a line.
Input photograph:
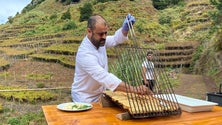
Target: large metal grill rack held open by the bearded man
[163,101]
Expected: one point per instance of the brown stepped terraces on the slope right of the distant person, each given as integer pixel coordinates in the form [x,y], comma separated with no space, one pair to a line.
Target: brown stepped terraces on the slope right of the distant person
[176,55]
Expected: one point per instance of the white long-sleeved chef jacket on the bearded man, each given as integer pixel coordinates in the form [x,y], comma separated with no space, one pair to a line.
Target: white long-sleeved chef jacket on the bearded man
[91,76]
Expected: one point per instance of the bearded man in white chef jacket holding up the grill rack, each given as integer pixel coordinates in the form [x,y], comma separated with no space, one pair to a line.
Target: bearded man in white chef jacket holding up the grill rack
[91,76]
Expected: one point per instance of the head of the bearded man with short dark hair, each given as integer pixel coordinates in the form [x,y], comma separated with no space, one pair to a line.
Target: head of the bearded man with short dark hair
[97,30]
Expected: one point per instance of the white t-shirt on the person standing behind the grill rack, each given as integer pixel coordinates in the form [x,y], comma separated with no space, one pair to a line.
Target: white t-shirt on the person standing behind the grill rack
[149,69]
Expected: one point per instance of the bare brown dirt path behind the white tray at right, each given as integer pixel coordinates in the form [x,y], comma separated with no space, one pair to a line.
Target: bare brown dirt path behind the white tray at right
[195,86]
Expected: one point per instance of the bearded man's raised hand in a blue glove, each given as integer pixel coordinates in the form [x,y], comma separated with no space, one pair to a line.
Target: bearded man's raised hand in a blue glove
[130,20]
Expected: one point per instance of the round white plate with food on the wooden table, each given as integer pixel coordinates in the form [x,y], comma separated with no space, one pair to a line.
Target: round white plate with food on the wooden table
[69,106]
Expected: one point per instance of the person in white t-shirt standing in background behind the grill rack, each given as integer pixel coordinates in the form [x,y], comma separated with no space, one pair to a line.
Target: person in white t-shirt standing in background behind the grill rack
[148,71]
